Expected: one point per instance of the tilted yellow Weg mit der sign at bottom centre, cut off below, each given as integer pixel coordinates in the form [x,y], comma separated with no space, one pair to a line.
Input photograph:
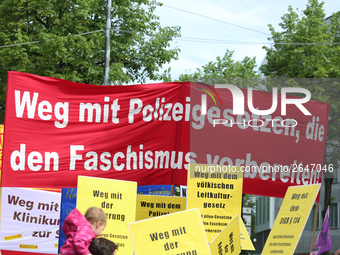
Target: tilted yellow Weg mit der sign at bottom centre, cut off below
[176,233]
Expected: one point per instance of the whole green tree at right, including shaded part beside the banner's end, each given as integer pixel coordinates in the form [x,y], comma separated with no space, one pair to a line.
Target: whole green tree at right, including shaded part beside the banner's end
[309,48]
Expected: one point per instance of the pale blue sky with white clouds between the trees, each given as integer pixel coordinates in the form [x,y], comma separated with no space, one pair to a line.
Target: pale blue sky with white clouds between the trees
[225,21]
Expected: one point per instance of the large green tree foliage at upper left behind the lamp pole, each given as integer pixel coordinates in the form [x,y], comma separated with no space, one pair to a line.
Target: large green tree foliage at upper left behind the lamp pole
[139,45]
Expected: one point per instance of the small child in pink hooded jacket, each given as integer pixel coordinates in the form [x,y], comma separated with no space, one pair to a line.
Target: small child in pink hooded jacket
[80,230]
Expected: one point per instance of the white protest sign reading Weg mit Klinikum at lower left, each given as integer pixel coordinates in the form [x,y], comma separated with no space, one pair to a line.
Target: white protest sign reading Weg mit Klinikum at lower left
[29,220]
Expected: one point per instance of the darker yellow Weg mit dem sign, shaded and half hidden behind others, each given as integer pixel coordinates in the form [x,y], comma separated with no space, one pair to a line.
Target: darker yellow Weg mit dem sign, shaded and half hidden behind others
[153,206]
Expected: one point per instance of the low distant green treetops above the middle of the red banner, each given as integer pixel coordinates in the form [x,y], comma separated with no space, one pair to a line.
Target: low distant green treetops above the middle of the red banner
[222,68]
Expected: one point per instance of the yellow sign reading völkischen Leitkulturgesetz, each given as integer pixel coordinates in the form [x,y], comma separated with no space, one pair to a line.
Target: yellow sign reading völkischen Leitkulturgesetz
[217,191]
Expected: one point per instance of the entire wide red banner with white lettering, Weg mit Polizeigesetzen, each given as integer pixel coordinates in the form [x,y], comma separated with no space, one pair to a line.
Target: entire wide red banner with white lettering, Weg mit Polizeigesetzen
[56,130]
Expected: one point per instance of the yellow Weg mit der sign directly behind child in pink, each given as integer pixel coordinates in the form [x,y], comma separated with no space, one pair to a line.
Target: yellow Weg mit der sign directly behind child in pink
[117,199]
